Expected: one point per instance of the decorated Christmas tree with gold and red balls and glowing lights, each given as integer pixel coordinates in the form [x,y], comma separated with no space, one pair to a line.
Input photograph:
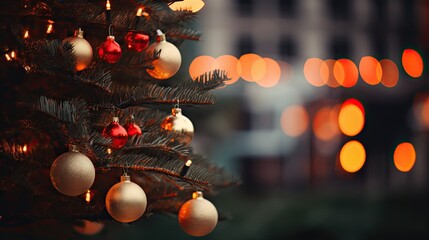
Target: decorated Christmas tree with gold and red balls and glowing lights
[85,85]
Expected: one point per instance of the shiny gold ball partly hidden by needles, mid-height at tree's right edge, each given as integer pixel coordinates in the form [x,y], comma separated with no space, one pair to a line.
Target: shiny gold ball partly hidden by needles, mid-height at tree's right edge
[179,124]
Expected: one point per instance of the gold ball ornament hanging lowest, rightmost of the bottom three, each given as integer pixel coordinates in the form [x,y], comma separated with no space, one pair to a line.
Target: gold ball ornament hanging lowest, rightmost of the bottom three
[198,216]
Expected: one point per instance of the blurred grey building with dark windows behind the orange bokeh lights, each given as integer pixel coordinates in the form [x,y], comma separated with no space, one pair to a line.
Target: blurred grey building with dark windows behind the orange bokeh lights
[291,31]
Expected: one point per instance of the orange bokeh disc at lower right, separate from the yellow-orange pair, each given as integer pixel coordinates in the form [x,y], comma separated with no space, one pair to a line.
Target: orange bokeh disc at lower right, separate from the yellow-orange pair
[404,157]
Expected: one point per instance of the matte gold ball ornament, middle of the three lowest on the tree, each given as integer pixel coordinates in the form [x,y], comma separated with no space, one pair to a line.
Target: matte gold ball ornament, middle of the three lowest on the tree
[126,201]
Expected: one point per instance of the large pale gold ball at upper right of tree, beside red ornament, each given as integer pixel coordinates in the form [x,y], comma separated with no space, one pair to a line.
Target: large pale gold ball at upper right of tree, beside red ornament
[169,60]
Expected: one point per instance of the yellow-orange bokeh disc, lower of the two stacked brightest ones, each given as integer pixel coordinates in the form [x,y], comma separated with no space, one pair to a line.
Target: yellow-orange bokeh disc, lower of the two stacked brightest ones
[352,156]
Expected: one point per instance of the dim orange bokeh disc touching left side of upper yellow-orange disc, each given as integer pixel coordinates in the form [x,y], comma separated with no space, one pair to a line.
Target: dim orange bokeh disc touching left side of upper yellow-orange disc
[325,123]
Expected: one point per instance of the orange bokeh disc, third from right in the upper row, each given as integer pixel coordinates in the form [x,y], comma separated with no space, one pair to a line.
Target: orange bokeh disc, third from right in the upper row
[370,70]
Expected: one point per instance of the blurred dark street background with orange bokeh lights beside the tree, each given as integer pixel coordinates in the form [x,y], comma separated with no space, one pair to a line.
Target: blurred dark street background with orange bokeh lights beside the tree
[325,119]
